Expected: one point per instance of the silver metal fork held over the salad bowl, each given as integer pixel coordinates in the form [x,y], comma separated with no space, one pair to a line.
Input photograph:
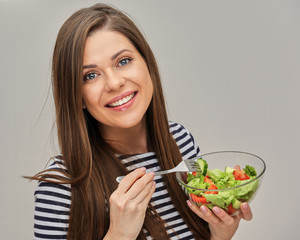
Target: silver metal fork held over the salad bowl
[188,165]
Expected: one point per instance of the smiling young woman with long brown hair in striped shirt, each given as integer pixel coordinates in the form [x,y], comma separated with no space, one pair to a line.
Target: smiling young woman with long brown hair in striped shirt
[112,121]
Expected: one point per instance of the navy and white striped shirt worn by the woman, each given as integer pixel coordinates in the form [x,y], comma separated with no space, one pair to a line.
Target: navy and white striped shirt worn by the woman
[52,201]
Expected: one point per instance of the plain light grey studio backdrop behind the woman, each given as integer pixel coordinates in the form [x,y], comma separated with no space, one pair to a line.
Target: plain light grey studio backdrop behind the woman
[230,71]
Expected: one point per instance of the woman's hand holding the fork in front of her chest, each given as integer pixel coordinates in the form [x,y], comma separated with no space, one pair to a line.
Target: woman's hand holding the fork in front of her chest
[128,204]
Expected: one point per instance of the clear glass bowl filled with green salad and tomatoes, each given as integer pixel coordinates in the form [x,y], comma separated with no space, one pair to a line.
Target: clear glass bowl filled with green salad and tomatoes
[230,190]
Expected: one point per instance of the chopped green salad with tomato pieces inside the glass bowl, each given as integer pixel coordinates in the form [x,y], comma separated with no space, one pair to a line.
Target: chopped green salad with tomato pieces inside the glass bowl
[213,181]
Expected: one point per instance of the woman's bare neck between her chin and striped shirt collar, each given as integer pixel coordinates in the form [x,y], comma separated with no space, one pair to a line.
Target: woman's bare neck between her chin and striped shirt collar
[132,140]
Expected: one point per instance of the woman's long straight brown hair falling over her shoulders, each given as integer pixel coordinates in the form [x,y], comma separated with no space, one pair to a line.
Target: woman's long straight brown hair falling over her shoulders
[90,162]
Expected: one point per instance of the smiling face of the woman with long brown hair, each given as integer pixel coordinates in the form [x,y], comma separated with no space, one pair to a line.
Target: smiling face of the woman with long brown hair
[117,85]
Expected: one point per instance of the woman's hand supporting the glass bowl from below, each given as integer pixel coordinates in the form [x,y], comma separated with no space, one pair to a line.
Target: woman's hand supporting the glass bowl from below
[222,226]
